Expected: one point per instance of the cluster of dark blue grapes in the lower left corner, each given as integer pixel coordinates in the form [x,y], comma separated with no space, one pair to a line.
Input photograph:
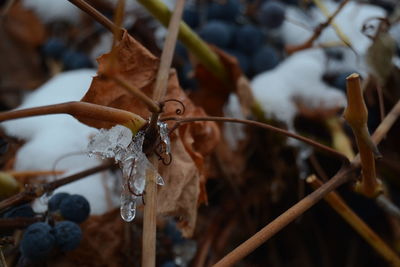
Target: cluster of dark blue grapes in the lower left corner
[41,239]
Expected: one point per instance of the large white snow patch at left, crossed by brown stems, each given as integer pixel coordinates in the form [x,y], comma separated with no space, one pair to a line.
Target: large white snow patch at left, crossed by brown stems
[53,136]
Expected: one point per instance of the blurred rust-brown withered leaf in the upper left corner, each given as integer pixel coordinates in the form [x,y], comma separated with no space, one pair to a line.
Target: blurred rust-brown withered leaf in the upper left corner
[21,33]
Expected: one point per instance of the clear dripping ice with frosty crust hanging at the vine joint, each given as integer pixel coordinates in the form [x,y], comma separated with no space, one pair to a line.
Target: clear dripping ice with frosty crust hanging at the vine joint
[118,143]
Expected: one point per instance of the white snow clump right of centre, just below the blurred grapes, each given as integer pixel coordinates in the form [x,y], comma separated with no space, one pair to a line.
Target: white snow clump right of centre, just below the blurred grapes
[298,77]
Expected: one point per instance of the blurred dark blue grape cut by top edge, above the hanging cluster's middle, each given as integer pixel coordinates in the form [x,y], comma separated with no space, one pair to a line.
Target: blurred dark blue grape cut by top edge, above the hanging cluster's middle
[227,10]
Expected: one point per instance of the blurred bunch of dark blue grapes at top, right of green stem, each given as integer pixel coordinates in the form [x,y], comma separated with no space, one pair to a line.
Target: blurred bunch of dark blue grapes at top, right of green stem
[227,25]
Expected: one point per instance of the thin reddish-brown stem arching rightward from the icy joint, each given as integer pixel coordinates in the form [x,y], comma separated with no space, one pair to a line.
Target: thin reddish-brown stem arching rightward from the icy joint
[306,140]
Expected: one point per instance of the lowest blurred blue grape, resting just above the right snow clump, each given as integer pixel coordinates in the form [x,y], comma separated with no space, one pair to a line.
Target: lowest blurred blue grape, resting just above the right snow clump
[264,59]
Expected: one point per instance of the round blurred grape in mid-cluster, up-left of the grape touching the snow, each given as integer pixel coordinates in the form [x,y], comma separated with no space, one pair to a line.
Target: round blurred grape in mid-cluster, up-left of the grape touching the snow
[248,39]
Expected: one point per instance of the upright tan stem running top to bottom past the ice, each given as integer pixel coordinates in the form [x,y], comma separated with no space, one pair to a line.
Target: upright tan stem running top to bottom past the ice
[159,92]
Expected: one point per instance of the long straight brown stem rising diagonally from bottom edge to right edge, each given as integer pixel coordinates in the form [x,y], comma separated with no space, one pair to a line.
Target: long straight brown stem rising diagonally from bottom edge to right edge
[343,175]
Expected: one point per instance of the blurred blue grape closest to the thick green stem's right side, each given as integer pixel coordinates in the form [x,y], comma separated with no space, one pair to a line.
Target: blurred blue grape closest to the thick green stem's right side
[217,33]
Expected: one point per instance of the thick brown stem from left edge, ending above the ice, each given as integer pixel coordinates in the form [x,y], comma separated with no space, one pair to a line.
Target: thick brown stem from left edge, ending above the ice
[81,109]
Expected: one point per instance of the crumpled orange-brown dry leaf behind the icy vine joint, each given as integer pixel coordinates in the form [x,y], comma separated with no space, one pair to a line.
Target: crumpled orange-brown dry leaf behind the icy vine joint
[185,179]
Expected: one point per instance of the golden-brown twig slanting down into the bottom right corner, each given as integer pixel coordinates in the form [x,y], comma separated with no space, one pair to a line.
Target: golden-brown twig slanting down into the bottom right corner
[338,204]
